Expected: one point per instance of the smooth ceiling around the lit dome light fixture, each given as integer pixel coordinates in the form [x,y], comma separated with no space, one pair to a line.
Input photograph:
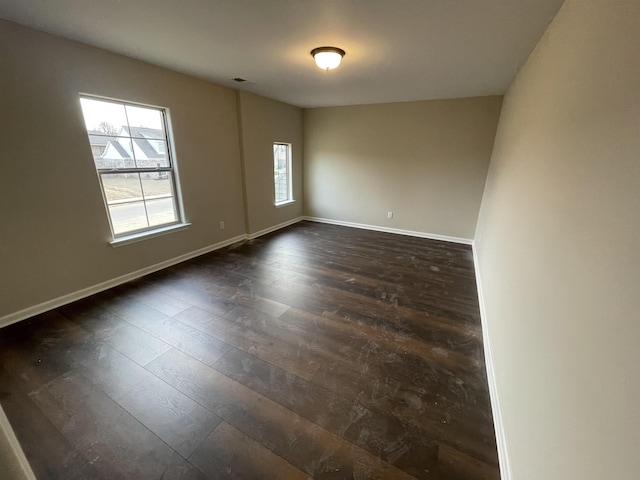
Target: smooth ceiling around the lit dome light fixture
[397,50]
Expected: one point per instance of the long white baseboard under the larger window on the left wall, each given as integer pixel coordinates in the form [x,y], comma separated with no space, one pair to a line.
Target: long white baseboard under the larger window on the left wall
[85,292]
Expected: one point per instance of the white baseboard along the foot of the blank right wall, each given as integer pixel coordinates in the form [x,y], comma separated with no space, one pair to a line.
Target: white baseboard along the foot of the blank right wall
[503,457]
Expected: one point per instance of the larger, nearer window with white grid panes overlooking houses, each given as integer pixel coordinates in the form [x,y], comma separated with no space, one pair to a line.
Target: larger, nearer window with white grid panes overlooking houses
[131,152]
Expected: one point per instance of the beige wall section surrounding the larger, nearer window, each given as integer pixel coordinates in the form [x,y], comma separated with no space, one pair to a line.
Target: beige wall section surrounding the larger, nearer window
[54,232]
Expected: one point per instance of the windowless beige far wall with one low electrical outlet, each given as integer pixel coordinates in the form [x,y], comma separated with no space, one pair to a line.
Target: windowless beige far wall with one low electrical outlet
[424,161]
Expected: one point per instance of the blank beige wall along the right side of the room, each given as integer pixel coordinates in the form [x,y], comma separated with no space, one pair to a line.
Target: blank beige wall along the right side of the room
[557,244]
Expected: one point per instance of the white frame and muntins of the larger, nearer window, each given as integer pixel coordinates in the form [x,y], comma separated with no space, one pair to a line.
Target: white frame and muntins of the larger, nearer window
[131,236]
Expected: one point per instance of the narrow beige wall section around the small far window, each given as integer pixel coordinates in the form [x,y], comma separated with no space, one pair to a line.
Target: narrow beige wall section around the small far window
[263,122]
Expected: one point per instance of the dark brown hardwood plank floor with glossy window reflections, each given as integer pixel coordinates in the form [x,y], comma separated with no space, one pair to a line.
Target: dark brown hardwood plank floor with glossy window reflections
[315,352]
